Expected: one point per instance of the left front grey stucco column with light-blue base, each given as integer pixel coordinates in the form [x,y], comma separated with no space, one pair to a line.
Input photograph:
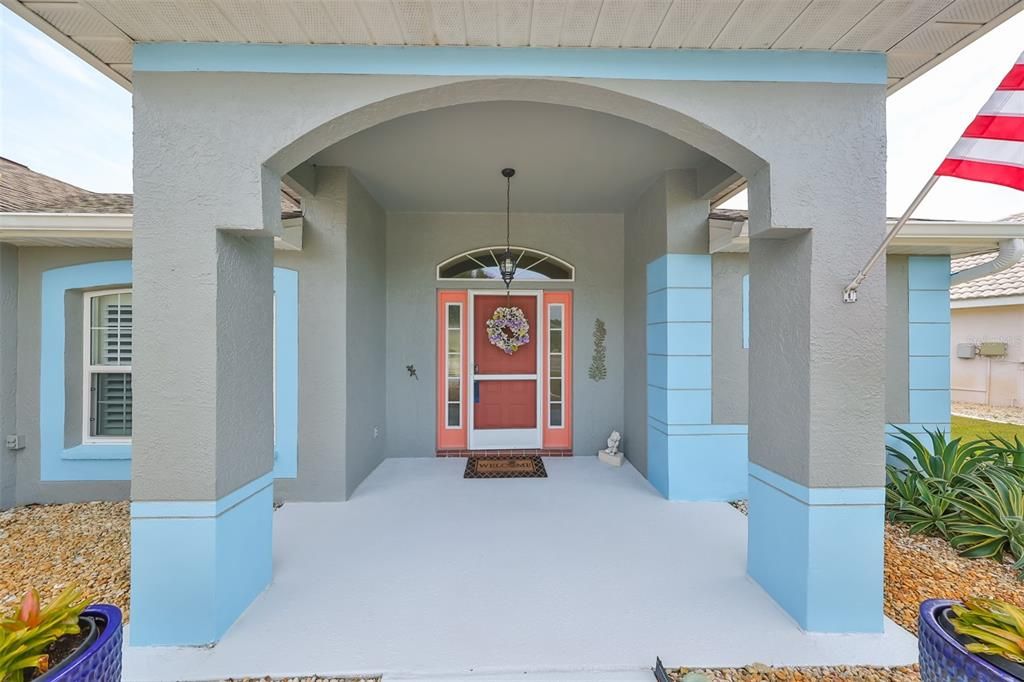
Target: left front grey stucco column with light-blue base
[203,441]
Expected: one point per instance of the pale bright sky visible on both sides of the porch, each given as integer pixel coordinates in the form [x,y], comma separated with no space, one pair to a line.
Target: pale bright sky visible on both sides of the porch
[63,118]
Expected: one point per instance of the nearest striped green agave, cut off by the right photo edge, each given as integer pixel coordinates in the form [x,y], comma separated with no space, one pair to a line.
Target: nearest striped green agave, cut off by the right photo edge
[992,517]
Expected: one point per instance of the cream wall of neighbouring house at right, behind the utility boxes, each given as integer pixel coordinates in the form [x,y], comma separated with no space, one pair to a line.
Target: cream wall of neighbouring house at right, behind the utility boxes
[997,381]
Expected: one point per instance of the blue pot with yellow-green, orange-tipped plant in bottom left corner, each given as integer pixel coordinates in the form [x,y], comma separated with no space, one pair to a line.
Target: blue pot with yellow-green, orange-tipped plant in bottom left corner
[66,642]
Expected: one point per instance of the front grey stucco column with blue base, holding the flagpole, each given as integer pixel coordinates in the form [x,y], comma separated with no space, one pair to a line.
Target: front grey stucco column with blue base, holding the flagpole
[817,383]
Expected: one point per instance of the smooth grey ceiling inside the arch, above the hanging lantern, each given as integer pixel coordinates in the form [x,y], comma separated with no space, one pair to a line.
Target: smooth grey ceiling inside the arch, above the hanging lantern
[568,159]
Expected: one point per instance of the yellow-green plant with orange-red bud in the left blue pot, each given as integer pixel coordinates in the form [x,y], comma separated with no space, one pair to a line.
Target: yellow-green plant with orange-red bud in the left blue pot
[26,635]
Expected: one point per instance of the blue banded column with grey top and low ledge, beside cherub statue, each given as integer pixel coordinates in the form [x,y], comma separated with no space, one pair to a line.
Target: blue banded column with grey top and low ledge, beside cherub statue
[689,458]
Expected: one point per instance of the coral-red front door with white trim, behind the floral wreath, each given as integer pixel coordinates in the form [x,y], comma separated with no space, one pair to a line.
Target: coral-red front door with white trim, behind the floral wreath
[505,409]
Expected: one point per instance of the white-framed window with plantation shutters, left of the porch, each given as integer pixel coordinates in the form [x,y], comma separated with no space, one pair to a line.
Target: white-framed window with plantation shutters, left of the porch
[108,342]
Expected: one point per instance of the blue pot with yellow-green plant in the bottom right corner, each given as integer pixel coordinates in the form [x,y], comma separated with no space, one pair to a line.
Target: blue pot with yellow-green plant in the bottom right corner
[980,640]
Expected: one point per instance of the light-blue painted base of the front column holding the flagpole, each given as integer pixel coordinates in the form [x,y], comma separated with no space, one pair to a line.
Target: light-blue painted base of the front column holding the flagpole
[819,552]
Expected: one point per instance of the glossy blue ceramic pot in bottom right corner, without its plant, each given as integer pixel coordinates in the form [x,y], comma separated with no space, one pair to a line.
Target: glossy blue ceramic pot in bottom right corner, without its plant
[943,658]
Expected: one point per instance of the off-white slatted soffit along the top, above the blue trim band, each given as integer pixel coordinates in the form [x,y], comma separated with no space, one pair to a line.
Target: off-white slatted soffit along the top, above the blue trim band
[916,35]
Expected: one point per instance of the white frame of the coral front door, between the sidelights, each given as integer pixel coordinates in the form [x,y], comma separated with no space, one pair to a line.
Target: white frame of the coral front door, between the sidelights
[506,439]
